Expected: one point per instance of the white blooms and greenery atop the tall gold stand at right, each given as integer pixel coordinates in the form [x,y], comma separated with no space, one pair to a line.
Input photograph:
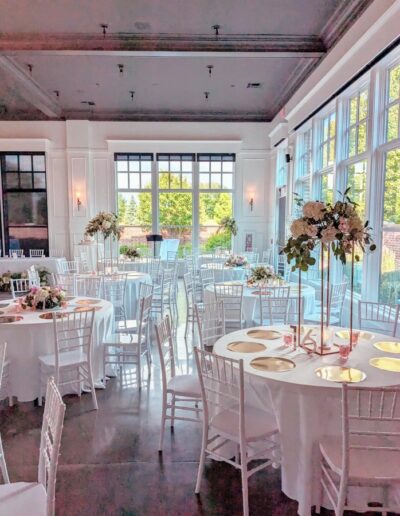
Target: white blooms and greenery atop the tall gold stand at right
[337,226]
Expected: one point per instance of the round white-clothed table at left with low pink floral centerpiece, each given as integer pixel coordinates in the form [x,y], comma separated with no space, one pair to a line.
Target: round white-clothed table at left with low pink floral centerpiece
[32,337]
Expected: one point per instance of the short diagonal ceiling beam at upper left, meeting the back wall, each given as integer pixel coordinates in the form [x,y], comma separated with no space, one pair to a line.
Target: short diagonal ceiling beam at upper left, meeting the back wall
[30,90]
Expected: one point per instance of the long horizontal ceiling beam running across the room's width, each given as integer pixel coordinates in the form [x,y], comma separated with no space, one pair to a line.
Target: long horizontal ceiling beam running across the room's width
[161,43]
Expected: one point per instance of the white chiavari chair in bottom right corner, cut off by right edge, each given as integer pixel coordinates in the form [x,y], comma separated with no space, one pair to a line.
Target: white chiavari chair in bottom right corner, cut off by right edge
[367,453]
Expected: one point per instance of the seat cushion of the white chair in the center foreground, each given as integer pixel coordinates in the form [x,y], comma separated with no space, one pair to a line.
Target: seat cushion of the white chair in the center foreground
[258,423]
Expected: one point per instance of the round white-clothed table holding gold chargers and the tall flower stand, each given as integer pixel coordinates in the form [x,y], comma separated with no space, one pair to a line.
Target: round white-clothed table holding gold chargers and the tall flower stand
[306,407]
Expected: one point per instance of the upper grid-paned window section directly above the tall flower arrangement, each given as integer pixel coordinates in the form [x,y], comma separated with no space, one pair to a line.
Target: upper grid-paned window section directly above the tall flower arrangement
[356,135]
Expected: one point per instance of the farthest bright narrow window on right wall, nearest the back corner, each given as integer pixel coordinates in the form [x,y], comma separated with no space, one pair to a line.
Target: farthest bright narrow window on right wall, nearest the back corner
[302,185]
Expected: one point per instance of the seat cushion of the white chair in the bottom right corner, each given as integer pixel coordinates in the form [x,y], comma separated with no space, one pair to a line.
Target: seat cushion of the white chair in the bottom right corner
[378,465]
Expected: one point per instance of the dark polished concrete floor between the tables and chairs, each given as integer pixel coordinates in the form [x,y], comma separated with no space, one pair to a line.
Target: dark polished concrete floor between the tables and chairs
[109,463]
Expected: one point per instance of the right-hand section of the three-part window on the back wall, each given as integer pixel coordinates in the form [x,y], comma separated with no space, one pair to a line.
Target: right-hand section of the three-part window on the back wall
[215,198]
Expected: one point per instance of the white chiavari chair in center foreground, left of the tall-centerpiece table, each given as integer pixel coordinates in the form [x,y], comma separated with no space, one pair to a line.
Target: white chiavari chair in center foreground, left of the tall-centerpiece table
[228,419]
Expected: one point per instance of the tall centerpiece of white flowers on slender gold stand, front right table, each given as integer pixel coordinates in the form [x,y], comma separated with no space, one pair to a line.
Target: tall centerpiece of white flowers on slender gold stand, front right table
[335,228]
